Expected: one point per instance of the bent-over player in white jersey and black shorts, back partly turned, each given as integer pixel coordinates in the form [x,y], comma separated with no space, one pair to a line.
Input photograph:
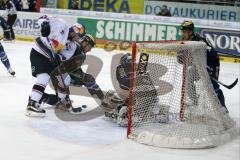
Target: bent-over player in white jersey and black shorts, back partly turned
[54,35]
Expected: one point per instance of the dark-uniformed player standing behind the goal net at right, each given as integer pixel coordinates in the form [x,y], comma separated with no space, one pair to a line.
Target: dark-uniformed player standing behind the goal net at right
[213,64]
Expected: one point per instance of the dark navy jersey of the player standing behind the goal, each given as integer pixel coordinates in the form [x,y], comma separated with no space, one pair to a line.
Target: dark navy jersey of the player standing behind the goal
[212,56]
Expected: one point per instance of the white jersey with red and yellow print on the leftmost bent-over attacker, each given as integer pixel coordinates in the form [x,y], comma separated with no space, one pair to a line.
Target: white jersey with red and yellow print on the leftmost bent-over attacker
[57,38]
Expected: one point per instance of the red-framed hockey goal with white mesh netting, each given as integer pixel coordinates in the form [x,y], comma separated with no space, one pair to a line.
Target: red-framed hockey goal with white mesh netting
[172,102]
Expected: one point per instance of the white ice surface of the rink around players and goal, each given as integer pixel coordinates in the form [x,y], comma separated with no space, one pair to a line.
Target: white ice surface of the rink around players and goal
[49,138]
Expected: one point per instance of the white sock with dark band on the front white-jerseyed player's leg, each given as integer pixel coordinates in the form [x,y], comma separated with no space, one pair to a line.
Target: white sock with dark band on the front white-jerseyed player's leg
[39,86]
